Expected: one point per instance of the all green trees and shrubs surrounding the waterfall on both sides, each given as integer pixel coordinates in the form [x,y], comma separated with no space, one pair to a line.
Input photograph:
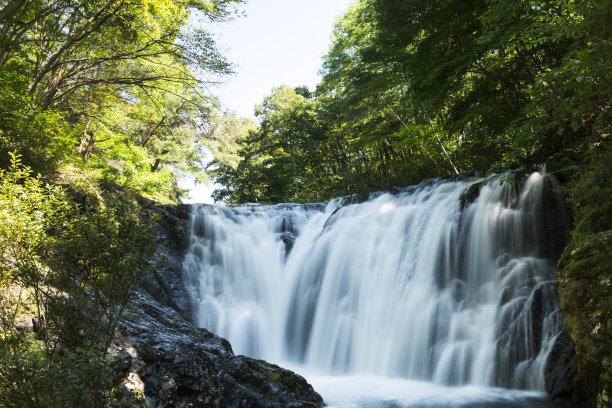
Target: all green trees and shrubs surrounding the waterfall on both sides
[103,103]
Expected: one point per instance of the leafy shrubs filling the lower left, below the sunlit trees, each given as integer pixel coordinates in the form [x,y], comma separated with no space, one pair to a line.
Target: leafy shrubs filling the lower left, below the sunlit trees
[74,269]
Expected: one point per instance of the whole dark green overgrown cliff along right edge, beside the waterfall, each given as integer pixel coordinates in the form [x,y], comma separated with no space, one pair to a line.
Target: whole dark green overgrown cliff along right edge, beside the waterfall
[584,279]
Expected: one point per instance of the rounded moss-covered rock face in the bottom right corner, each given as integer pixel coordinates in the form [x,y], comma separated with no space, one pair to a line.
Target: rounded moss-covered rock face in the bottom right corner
[584,284]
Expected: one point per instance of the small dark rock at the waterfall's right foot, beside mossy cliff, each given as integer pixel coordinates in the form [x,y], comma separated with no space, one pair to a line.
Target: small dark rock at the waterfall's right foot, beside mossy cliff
[561,369]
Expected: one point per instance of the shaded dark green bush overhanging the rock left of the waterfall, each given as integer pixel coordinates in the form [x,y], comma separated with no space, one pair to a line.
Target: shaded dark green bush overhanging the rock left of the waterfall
[98,258]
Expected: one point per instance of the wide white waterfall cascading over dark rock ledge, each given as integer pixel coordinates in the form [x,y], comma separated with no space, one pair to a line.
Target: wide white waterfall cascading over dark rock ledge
[448,282]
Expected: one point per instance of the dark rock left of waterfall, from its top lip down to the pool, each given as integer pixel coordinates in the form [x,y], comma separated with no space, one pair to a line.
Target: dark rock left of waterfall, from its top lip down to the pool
[164,361]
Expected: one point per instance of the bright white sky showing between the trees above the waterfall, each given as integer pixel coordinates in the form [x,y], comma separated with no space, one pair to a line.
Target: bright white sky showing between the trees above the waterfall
[276,42]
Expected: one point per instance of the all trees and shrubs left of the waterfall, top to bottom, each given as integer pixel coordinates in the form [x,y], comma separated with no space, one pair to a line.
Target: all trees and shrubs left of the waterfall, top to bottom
[101,102]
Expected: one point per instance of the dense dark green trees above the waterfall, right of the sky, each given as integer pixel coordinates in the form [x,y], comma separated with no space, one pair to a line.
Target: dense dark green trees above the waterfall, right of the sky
[418,89]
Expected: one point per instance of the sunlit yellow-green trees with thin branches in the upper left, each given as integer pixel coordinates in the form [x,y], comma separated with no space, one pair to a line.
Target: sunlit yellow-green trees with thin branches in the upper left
[116,85]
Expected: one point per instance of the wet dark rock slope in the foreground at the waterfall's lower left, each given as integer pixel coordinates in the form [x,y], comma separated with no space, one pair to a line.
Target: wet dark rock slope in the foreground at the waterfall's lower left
[173,364]
